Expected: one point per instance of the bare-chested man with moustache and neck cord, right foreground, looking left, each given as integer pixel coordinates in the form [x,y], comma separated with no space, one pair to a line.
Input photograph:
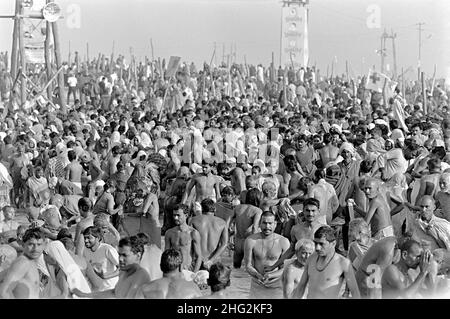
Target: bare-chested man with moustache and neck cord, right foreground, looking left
[326,270]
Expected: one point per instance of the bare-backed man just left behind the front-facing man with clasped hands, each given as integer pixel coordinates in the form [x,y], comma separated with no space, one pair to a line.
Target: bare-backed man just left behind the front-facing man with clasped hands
[246,217]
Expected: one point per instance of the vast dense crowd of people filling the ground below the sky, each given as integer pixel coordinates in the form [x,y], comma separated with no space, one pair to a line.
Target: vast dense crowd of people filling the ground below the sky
[143,184]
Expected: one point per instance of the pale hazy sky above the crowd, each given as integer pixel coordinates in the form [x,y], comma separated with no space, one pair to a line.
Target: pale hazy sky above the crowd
[189,28]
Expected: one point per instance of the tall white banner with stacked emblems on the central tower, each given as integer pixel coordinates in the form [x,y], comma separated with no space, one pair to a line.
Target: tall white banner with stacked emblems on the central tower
[294,35]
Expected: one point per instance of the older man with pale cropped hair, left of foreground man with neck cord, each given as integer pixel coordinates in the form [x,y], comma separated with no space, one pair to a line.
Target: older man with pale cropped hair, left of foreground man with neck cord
[293,272]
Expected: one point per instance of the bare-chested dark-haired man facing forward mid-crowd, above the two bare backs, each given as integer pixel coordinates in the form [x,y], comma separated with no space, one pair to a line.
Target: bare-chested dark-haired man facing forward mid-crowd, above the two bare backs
[205,184]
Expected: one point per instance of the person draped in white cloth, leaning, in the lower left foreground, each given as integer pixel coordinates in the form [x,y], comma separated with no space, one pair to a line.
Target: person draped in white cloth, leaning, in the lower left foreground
[65,274]
